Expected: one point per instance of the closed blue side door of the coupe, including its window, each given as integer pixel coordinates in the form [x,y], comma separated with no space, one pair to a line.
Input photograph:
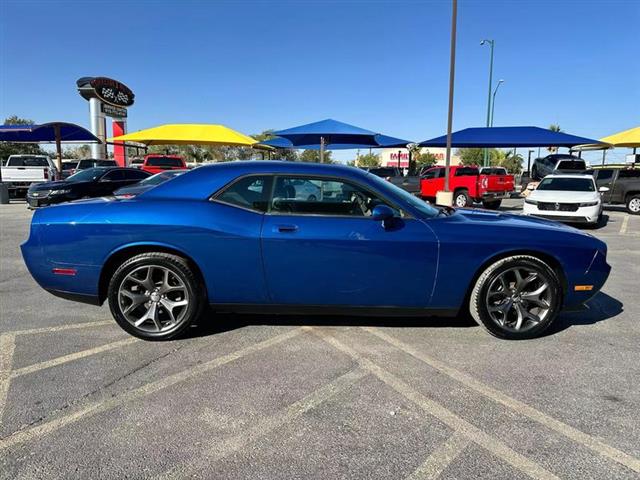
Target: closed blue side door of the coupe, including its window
[330,252]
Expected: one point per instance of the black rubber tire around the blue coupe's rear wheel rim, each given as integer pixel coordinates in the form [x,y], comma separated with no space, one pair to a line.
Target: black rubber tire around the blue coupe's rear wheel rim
[191,287]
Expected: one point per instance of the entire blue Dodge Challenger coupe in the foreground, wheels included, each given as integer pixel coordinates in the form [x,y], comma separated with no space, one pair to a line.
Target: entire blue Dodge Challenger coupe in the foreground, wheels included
[286,237]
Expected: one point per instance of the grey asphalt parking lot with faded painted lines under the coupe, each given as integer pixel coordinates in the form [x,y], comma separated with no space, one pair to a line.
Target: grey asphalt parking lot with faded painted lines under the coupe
[292,397]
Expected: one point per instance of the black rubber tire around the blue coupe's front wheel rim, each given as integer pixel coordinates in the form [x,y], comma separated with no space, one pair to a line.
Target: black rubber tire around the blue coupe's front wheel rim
[480,298]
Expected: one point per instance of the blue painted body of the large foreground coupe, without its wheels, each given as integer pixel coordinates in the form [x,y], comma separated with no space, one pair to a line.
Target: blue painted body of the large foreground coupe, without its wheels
[256,255]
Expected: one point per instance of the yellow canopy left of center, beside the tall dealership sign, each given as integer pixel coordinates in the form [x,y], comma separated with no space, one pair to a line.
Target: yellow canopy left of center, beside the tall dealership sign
[187,134]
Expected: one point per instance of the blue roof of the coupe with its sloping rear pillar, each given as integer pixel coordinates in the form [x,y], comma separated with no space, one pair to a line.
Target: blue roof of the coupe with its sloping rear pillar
[201,182]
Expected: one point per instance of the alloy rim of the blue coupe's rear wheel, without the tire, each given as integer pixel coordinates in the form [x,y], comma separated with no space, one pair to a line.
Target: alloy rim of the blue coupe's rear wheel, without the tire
[153,298]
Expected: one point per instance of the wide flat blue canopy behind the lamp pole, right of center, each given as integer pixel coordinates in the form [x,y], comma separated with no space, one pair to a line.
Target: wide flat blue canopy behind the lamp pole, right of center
[513,137]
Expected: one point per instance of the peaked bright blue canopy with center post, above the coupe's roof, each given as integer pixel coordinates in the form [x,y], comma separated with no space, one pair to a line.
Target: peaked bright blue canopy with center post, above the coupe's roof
[337,135]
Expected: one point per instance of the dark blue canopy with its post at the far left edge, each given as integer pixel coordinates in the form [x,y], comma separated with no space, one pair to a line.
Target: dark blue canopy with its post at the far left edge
[58,132]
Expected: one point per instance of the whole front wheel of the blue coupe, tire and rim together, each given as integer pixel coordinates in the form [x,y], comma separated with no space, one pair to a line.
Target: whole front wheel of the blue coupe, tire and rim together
[516,298]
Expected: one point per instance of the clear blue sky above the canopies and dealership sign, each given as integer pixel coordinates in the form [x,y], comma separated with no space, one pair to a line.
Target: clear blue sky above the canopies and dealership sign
[382,65]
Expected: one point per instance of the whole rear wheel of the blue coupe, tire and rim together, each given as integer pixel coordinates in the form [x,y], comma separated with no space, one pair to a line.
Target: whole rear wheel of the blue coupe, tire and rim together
[155,296]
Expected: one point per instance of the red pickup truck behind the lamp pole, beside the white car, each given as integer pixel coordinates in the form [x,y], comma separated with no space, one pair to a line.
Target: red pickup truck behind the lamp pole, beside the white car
[469,184]
